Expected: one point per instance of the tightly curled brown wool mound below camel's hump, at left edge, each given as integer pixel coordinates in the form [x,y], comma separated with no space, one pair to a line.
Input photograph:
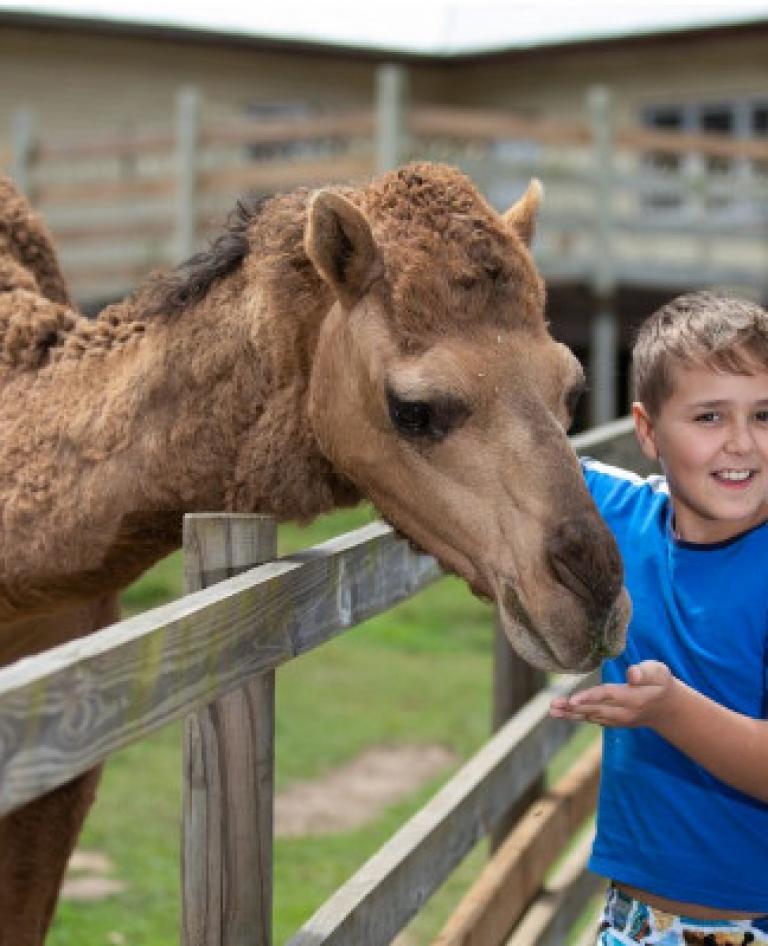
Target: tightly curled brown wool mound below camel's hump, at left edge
[30,326]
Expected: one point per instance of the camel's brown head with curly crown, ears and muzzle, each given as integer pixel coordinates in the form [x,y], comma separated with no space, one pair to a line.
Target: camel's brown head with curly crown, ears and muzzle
[438,391]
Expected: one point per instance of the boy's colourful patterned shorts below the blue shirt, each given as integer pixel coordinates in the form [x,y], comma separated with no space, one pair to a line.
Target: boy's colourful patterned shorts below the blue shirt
[627,922]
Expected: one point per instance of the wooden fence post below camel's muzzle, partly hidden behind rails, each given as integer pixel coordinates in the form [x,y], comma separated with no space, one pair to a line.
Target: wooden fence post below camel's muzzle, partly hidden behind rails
[514,683]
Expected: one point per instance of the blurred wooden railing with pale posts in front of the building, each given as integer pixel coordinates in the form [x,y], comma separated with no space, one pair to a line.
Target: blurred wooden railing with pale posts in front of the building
[121,205]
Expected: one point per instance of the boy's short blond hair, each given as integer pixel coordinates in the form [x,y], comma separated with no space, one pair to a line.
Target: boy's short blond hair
[700,329]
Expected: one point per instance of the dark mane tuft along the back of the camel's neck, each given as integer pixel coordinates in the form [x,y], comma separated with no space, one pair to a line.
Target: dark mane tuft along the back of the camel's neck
[188,283]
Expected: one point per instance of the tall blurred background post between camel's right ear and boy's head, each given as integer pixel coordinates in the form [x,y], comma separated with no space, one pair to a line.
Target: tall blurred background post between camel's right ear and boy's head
[604,347]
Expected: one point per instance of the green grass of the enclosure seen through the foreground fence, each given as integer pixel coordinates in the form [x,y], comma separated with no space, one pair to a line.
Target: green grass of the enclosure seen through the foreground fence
[419,674]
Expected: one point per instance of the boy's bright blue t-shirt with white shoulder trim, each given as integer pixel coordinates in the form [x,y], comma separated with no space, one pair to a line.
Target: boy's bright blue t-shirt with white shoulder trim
[664,823]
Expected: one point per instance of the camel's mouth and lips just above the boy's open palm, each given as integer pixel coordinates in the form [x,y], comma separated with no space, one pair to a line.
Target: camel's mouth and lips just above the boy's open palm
[604,639]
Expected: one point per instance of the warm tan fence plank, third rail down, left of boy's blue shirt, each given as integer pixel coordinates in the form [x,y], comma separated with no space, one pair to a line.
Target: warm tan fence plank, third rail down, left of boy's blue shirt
[509,881]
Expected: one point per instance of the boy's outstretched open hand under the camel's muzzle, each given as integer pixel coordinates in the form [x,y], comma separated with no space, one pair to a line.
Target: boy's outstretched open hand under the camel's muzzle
[638,702]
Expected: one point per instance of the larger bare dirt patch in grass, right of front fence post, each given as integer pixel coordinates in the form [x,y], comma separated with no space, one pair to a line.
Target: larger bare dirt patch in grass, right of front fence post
[354,794]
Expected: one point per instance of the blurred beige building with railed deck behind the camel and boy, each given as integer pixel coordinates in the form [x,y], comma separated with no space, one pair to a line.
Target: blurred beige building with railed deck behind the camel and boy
[652,143]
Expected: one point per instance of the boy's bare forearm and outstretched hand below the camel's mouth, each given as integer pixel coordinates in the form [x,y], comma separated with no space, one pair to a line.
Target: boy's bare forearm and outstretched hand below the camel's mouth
[733,747]
